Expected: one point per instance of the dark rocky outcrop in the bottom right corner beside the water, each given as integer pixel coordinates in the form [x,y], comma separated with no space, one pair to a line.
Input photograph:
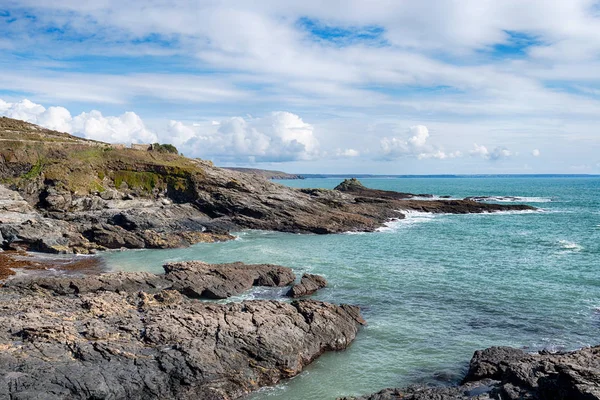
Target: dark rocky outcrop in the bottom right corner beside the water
[504,373]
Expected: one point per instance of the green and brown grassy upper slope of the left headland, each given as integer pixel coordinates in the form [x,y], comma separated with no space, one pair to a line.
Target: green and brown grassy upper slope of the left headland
[83,166]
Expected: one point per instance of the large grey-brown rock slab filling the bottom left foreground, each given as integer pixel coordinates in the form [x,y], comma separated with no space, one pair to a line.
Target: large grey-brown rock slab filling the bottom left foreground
[109,345]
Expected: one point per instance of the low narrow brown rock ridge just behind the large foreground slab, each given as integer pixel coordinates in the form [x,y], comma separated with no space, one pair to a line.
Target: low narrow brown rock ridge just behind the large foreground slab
[194,279]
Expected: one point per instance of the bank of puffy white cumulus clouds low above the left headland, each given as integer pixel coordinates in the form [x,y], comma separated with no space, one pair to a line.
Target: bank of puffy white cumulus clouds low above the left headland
[279,136]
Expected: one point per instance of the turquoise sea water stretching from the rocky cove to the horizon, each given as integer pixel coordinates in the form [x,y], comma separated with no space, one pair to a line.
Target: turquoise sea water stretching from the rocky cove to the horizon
[435,288]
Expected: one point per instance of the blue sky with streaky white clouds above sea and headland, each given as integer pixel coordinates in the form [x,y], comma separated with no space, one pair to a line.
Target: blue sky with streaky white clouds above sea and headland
[313,86]
